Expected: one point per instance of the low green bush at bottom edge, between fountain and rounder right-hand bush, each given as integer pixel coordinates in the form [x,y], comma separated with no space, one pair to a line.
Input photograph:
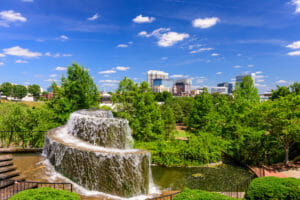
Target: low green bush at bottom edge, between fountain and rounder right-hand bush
[188,194]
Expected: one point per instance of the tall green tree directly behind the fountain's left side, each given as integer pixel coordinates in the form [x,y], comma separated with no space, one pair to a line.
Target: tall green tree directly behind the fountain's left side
[77,91]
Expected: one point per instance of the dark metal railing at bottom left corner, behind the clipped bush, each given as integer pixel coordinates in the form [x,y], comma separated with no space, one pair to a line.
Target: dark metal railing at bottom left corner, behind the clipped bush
[13,187]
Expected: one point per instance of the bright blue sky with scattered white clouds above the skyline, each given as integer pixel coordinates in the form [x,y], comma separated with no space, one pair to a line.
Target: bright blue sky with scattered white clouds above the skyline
[209,41]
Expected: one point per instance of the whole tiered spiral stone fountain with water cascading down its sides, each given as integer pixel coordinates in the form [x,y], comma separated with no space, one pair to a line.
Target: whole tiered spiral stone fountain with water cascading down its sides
[94,150]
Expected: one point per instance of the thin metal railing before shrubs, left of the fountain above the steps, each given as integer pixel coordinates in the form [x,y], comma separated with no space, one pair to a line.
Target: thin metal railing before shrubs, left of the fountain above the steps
[24,139]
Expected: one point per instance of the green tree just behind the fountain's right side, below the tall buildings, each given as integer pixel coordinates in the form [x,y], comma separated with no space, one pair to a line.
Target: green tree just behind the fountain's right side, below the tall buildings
[137,104]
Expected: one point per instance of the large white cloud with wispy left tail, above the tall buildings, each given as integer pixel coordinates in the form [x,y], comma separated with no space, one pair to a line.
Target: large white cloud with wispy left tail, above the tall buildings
[166,38]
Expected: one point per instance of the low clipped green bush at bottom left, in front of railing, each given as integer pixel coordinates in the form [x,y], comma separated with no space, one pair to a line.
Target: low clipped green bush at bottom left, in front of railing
[45,194]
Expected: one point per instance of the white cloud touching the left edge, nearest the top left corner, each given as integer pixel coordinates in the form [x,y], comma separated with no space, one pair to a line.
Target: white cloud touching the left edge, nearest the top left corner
[10,16]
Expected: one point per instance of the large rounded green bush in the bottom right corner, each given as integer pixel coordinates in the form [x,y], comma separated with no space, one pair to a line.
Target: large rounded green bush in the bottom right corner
[273,188]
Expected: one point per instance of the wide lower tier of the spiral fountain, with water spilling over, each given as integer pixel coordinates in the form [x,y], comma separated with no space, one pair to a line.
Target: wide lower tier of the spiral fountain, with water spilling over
[121,172]
